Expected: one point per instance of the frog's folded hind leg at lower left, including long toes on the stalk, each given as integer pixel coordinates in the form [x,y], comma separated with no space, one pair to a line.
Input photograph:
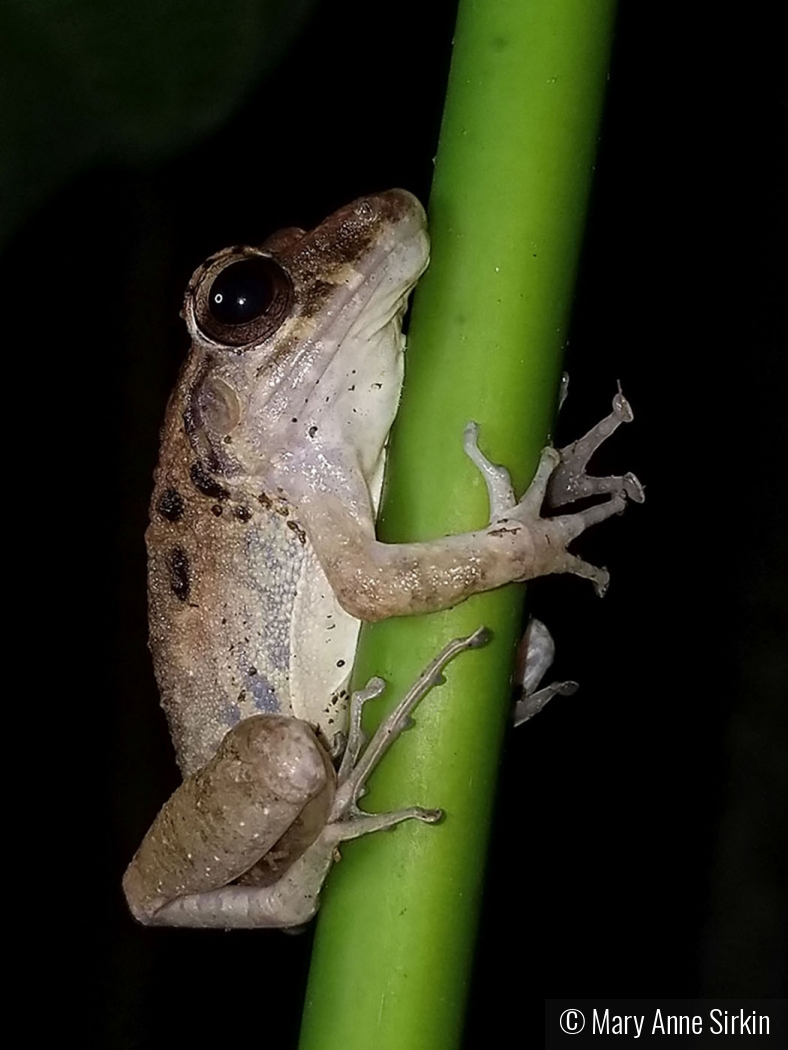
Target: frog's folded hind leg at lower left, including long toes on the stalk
[280,799]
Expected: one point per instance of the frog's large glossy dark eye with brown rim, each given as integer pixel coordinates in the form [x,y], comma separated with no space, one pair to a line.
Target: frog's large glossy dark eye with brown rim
[243,302]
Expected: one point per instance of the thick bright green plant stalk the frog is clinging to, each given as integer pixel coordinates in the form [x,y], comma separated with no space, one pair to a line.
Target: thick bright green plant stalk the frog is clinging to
[397,932]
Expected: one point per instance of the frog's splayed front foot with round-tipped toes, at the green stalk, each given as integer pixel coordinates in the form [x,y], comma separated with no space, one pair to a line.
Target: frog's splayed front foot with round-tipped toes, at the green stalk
[561,479]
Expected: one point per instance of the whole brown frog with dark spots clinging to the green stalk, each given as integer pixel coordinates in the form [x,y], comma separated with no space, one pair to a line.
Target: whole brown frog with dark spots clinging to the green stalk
[264,562]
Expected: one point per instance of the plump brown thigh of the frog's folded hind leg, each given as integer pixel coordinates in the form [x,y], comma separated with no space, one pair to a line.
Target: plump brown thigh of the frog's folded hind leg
[226,816]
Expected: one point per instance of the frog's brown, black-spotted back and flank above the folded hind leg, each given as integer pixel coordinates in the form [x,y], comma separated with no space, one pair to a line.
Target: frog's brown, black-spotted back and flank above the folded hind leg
[223,570]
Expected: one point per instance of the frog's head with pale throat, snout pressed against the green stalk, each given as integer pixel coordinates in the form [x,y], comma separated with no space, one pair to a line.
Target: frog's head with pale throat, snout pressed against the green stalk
[298,343]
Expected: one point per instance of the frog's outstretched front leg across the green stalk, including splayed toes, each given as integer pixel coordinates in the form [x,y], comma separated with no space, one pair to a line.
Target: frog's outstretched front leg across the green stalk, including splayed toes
[375,580]
